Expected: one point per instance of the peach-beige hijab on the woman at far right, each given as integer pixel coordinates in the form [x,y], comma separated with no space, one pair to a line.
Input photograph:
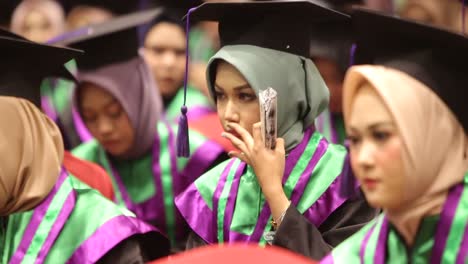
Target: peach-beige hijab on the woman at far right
[435,142]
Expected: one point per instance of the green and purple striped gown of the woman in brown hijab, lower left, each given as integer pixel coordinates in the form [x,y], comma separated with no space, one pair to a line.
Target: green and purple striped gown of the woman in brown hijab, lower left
[74,224]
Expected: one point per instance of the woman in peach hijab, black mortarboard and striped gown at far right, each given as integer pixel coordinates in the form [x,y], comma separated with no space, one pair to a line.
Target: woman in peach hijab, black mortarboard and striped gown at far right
[407,122]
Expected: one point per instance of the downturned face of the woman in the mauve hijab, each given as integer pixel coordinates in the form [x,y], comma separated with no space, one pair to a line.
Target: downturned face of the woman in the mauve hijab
[106,119]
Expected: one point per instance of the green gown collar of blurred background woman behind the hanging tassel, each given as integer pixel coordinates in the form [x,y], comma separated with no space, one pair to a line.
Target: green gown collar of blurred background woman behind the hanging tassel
[194,98]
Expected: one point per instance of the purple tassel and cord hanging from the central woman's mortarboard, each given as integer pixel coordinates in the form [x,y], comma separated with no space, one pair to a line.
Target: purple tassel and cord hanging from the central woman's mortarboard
[183,141]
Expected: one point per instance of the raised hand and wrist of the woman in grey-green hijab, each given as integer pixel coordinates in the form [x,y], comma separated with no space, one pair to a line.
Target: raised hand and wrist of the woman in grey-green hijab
[268,164]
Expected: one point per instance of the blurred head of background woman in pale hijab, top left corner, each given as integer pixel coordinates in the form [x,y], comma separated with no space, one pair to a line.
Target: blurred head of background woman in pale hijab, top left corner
[38,20]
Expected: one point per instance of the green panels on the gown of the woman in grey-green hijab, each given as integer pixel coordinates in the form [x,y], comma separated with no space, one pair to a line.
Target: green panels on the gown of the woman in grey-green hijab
[250,199]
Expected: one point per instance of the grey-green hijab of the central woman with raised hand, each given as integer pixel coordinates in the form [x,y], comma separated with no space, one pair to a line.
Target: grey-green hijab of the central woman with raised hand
[302,93]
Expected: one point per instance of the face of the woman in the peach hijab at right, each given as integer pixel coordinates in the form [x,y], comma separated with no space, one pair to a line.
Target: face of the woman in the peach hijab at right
[376,150]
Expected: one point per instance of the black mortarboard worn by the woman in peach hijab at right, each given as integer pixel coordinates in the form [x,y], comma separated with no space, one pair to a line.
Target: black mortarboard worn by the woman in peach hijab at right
[434,56]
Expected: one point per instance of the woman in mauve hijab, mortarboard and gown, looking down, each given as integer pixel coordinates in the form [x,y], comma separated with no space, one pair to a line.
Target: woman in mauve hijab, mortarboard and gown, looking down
[119,103]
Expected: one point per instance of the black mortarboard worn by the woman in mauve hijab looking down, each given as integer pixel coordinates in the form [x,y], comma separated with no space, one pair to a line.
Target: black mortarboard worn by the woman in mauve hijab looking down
[109,42]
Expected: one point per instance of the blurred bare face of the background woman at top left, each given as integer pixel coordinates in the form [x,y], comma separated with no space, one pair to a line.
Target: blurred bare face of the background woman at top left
[37,27]
